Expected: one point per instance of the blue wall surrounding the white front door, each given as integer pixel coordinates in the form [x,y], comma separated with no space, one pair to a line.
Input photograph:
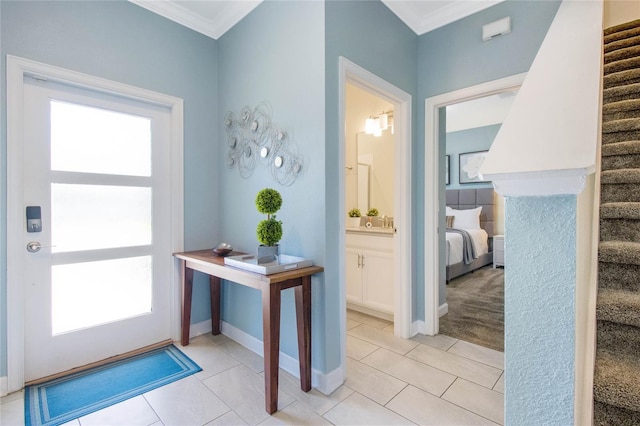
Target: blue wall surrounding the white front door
[120,41]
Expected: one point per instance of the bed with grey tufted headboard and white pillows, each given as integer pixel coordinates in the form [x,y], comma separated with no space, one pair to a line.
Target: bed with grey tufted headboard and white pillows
[462,204]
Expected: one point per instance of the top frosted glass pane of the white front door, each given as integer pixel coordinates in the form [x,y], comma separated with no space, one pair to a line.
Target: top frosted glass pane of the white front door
[93,140]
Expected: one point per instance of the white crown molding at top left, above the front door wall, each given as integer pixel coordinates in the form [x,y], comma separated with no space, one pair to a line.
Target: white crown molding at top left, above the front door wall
[229,15]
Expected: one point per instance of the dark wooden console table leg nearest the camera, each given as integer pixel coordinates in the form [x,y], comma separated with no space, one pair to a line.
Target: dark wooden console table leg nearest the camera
[271,341]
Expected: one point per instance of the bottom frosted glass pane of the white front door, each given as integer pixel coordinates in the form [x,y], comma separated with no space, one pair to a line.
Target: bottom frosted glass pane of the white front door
[93,293]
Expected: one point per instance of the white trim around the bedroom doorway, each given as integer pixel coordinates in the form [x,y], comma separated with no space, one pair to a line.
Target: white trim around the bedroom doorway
[432,185]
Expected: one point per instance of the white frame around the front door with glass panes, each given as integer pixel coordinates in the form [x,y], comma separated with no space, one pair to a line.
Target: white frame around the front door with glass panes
[17,69]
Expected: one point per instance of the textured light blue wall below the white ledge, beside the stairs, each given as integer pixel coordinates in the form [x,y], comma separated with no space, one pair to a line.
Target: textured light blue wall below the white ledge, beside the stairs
[540,298]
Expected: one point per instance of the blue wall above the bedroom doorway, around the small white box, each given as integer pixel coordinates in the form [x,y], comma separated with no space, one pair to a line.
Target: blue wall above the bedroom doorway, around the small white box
[454,57]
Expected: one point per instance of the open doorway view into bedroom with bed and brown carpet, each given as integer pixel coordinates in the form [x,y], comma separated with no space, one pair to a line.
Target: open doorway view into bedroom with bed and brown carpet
[473,308]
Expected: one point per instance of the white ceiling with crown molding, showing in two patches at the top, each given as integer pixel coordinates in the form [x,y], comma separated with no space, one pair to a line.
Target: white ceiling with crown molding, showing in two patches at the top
[215,17]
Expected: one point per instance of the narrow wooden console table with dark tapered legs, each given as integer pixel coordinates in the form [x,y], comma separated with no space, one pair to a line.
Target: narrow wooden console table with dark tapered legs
[270,285]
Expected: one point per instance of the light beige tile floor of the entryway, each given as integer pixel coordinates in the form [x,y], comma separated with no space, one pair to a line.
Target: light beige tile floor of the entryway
[390,381]
